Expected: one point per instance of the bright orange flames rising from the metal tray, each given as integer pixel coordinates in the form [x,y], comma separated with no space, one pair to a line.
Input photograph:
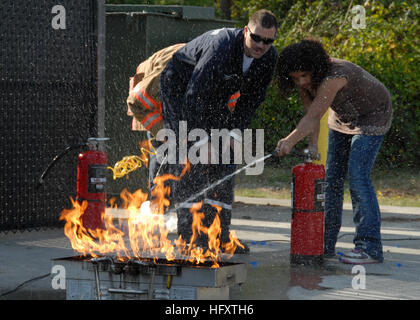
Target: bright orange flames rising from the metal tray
[145,233]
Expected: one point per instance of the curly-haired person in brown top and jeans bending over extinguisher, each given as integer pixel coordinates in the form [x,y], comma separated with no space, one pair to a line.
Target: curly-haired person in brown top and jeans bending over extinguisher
[360,115]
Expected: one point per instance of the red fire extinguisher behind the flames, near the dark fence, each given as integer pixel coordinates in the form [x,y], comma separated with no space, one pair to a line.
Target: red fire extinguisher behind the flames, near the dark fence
[91,180]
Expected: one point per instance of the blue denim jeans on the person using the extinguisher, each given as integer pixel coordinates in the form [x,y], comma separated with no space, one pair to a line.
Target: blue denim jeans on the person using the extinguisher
[355,155]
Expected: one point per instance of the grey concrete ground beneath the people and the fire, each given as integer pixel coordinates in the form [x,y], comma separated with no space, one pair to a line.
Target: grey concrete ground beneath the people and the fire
[265,225]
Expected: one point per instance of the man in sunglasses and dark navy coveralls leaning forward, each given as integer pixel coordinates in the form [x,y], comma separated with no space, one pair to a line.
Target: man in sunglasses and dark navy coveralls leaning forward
[216,81]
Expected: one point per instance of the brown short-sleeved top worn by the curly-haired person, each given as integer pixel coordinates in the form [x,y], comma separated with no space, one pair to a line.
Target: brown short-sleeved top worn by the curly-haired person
[363,105]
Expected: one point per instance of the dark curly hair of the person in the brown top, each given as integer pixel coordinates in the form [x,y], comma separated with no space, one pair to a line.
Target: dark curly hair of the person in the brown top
[306,55]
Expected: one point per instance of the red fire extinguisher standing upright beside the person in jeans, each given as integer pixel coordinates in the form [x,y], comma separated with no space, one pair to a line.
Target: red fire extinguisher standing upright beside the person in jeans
[308,201]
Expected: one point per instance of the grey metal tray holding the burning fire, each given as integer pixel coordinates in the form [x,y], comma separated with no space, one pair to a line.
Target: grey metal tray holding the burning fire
[90,278]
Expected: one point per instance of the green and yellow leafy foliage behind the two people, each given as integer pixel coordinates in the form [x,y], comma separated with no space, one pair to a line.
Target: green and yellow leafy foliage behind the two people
[388,47]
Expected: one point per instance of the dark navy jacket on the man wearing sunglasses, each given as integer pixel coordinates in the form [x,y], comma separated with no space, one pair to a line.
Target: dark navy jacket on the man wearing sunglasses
[201,77]
